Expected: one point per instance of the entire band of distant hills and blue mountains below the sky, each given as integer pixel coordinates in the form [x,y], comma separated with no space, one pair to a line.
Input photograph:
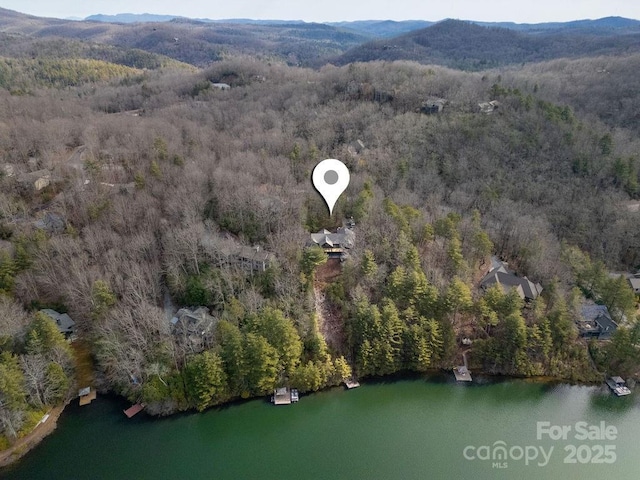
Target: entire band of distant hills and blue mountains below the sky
[454,43]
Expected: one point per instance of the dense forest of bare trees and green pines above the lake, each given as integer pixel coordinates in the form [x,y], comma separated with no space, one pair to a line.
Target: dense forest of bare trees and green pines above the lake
[123,191]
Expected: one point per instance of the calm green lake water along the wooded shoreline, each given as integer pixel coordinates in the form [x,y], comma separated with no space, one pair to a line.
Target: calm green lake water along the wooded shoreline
[405,429]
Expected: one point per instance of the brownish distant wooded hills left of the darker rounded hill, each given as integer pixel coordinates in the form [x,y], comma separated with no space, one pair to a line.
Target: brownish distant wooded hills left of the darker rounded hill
[196,42]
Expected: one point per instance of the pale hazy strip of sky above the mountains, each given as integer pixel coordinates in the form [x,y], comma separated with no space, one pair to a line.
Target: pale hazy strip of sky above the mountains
[521,11]
